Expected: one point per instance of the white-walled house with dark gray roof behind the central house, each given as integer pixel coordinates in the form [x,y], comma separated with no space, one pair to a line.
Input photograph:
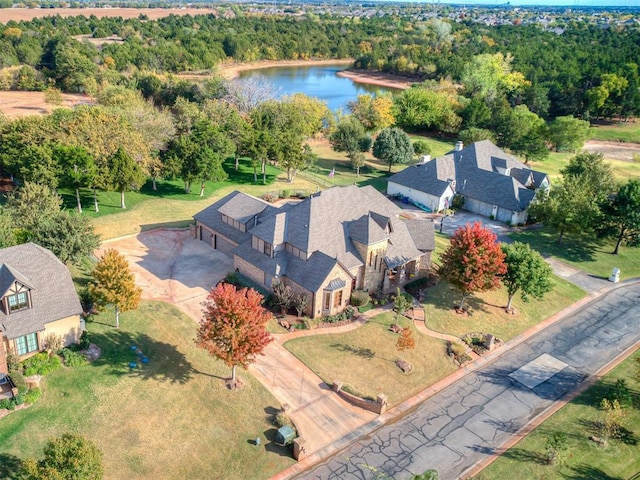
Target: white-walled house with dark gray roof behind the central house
[491,182]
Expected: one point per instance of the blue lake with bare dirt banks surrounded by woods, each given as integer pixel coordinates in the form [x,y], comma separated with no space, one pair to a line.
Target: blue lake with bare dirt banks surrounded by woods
[318,81]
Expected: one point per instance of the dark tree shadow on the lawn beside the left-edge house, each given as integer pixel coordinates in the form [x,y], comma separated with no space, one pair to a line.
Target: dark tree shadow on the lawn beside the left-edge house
[165,362]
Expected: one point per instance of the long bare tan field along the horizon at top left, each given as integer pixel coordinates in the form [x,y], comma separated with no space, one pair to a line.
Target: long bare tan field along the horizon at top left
[26,14]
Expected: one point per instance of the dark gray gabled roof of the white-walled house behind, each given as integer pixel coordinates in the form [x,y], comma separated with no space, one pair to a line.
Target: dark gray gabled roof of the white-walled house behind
[482,171]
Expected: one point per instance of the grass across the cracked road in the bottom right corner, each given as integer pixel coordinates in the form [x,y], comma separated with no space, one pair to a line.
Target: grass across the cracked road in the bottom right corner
[583,458]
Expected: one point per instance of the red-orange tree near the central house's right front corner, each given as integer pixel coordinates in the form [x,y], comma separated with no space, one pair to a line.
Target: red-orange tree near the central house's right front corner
[474,261]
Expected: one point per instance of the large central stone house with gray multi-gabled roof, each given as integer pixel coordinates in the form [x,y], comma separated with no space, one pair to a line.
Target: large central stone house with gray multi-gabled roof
[326,246]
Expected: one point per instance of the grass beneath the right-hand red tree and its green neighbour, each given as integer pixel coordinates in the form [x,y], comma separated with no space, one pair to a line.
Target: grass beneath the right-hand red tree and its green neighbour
[486,311]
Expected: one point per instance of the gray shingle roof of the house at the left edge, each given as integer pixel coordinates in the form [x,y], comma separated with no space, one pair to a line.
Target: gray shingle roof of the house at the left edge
[53,296]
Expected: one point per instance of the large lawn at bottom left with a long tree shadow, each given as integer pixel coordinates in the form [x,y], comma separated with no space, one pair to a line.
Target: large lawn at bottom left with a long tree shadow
[172,418]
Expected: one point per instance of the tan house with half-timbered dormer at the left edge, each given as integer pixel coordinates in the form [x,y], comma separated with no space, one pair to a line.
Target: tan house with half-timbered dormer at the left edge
[37,298]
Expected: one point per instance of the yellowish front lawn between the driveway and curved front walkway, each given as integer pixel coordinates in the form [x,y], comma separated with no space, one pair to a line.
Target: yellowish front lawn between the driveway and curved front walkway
[364,359]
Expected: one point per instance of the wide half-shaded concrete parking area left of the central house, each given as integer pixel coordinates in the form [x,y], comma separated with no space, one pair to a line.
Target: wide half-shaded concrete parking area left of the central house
[173,267]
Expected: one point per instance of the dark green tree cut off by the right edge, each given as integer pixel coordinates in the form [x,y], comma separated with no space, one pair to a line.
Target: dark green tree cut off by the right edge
[621,215]
